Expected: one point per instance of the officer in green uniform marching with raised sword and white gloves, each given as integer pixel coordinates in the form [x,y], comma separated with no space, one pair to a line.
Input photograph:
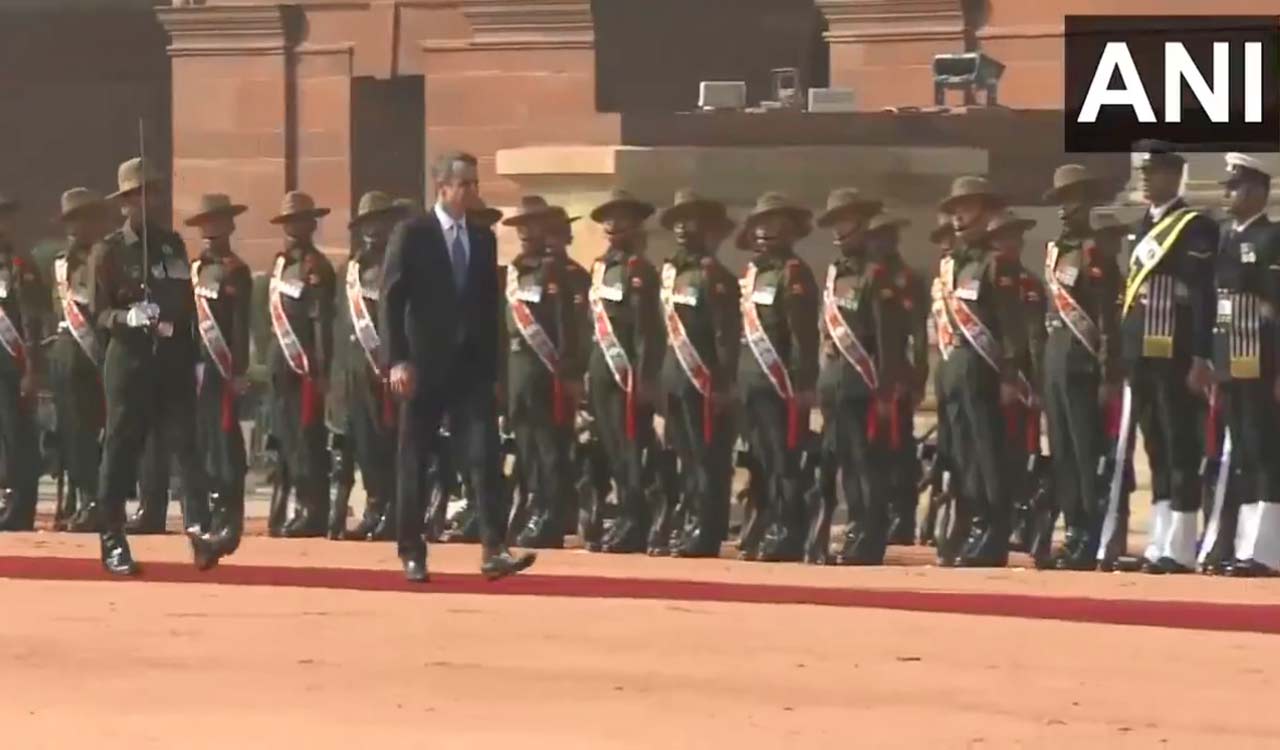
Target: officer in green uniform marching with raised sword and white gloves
[143,300]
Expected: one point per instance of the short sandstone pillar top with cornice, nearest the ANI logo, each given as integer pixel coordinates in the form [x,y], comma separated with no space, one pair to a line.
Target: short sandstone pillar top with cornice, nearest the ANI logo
[884,49]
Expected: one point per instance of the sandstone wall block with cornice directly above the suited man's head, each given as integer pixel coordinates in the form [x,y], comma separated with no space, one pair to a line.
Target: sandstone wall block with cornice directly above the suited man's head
[515,72]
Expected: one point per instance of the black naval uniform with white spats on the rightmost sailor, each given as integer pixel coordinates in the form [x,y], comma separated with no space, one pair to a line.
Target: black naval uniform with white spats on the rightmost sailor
[1247,276]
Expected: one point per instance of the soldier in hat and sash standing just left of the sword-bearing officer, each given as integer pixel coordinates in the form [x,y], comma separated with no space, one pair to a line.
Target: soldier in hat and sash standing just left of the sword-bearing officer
[76,355]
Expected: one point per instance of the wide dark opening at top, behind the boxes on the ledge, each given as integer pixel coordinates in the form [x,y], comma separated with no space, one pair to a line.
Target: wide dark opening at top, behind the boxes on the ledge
[652,56]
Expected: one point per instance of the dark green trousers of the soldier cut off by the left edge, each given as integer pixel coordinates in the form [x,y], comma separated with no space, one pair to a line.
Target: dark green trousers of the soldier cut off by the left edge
[21,459]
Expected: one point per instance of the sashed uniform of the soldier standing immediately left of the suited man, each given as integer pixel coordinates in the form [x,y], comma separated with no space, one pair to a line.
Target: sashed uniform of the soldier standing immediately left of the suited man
[371,410]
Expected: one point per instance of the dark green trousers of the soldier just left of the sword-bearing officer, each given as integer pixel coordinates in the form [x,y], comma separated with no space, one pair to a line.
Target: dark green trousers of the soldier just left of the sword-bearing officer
[79,392]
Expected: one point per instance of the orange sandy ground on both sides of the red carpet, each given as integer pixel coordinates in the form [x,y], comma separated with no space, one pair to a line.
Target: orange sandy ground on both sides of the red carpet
[156,665]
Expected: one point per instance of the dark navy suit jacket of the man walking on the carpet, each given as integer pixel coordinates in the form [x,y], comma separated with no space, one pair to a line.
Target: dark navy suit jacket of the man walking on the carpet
[449,335]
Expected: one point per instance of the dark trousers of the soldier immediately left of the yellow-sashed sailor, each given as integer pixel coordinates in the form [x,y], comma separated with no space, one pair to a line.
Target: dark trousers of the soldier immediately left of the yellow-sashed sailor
[1076,437]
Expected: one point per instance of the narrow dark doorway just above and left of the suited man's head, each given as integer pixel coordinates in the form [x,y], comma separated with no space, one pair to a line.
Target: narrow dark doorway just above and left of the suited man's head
[388,138]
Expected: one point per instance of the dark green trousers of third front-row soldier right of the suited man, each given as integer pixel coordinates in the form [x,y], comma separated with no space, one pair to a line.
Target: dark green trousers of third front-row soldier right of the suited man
[706,469]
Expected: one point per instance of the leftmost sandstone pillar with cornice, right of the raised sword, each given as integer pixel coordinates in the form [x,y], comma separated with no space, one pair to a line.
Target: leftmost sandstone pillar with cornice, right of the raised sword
[230,115]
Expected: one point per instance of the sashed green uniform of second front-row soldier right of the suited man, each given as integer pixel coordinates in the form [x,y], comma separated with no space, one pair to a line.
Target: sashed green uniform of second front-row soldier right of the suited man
[630,299]
